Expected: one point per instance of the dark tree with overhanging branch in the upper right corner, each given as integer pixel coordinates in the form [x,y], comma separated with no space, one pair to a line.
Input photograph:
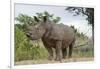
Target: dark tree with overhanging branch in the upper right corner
[88,12]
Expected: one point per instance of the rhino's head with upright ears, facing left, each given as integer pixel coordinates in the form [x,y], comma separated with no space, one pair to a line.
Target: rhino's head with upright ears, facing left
[38,31]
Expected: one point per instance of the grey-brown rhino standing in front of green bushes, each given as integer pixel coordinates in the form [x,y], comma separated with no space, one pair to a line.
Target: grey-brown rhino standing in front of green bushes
[54,36]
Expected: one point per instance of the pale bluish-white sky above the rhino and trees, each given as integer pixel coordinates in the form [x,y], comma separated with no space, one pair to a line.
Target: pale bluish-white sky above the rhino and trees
[67,18]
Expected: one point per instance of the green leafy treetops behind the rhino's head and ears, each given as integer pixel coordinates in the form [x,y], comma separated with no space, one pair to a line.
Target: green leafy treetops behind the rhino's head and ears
[25,20]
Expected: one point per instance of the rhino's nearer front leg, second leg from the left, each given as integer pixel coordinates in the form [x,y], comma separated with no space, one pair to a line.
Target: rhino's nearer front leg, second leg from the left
[59,51]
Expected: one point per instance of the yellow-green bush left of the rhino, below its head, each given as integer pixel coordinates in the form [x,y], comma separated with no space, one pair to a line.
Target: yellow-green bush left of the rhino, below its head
[25,49]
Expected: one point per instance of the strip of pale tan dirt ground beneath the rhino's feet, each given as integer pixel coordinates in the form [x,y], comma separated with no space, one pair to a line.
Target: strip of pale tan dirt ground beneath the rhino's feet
[30,62]
